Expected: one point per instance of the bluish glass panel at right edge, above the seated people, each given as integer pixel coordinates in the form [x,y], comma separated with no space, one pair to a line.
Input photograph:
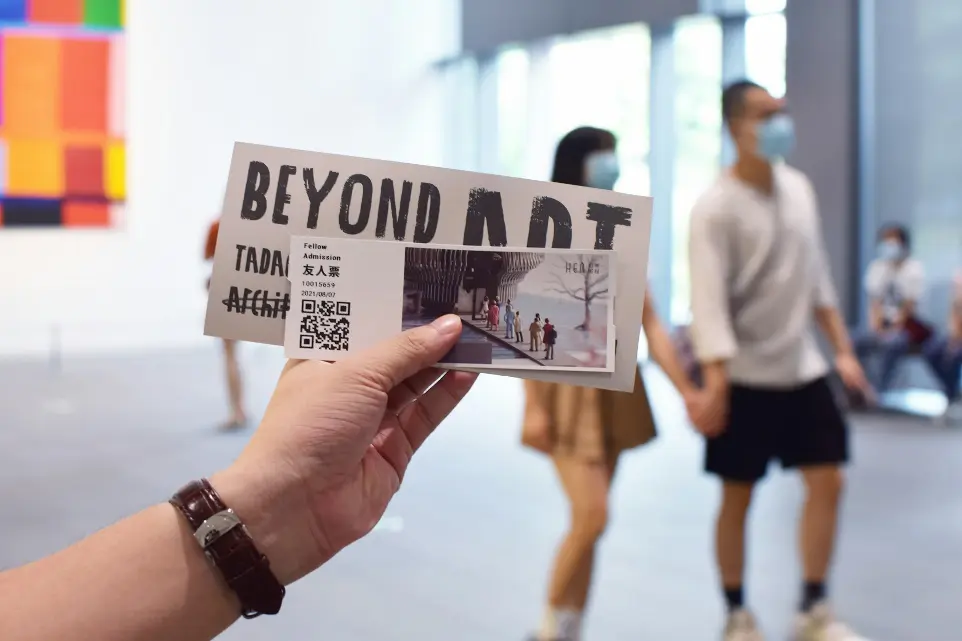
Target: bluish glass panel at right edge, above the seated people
[915,85]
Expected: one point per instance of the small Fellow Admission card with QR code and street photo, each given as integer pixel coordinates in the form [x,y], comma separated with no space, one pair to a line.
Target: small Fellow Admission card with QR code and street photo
[549,309]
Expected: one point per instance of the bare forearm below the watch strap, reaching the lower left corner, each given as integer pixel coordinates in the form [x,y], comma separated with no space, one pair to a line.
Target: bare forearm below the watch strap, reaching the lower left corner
[144,578]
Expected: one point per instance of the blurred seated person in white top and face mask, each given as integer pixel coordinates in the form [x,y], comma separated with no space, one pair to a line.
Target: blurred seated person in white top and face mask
[894,282]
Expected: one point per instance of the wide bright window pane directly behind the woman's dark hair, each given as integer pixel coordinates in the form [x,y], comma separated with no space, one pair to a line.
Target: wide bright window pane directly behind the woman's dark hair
[597,78]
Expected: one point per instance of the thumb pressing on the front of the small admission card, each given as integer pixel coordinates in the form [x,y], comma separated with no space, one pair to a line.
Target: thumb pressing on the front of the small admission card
[396,359]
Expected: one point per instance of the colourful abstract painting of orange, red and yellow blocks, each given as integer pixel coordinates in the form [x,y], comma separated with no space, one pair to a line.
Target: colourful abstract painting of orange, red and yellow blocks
[62,155]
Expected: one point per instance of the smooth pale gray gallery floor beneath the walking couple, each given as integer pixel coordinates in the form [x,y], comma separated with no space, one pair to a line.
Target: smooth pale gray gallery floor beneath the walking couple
[475,526]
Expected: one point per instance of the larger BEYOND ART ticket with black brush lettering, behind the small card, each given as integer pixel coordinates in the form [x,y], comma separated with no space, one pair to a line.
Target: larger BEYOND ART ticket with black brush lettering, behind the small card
[274,193]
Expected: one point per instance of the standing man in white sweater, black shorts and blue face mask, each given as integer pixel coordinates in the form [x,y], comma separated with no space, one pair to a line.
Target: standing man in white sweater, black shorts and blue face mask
[760,276]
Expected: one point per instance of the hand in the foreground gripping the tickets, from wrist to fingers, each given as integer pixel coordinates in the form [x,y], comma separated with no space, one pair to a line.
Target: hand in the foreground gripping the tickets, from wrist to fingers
[334,443]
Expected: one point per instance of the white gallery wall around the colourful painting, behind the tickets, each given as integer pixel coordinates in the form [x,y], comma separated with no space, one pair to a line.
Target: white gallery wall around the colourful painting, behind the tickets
[329,75]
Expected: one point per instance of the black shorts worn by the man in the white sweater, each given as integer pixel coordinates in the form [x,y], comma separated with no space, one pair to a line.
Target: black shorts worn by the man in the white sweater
[800,427]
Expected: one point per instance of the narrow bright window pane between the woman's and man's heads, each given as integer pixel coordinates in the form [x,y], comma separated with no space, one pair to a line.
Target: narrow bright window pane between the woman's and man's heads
[698,81]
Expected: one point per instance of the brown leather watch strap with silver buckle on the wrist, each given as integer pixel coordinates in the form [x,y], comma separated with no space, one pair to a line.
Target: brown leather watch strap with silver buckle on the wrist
[230,548]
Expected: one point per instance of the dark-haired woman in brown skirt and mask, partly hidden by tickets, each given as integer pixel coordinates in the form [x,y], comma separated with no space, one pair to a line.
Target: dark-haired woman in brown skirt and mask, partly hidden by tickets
[584,430]
